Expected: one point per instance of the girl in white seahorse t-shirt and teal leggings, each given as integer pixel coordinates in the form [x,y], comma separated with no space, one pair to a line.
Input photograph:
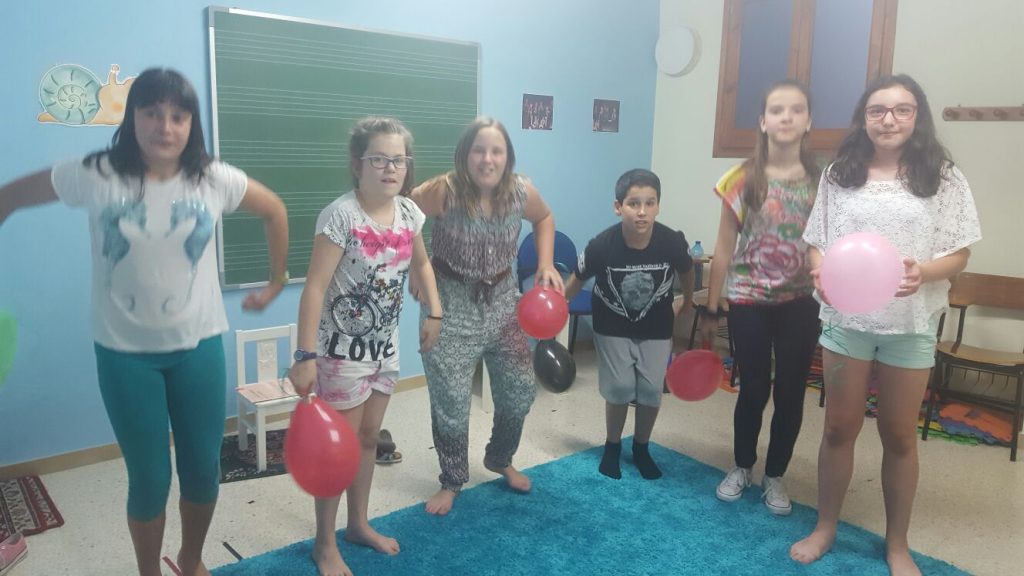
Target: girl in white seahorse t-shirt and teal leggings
[154,198]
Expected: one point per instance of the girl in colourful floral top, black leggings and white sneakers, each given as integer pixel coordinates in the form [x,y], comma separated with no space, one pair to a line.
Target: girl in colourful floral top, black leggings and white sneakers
[765,203]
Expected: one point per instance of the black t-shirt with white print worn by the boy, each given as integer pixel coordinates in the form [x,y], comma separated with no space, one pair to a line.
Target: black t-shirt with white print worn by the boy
[633,289]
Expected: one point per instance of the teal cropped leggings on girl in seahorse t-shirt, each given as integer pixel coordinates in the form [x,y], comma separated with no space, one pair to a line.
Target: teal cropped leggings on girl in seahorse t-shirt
[142,392]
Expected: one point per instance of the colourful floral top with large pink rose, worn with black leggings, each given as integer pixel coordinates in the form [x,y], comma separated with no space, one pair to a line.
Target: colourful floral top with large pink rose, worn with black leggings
[771,263]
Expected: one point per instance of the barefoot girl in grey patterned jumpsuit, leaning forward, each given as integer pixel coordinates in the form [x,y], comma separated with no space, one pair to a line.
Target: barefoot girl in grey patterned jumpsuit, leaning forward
[479,211]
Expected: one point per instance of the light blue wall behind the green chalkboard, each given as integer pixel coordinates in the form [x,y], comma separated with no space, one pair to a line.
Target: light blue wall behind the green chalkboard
[575,51]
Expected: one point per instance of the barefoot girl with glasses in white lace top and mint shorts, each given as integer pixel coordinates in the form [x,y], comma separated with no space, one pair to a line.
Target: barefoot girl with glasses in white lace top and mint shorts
[892,178]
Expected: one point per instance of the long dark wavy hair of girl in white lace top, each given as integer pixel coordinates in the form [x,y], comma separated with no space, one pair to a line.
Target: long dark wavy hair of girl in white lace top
[923,159]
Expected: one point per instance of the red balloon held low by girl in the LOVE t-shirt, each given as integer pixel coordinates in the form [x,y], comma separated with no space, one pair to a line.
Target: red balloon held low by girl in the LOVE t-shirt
[322,452]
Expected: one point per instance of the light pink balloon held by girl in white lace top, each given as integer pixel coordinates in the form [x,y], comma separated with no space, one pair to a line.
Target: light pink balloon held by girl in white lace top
[862,273]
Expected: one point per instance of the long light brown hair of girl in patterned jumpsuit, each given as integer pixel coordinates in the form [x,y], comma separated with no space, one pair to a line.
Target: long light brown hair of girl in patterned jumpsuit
[466,193]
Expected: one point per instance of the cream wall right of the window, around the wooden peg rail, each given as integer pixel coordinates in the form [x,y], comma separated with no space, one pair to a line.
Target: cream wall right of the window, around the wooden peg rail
[974,56]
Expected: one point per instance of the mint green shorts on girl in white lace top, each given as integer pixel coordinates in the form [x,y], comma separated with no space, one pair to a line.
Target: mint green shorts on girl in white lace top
[902,351]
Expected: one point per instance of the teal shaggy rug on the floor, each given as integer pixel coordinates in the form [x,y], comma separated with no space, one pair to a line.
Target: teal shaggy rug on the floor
[579,522]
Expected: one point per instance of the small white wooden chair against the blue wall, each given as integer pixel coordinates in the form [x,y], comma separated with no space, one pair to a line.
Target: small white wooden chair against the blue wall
[269,393]
